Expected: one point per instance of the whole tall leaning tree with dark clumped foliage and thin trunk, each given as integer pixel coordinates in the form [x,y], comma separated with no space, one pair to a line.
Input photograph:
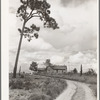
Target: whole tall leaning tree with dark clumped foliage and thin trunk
[28,10]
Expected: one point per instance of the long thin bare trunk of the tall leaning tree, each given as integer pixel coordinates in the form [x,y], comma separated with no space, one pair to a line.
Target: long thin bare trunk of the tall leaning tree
[18,51]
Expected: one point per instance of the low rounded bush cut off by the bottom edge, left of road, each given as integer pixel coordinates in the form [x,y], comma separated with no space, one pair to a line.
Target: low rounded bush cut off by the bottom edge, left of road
[39,97]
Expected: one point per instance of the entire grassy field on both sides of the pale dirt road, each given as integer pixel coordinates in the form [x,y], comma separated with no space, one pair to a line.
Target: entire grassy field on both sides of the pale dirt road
[45,86]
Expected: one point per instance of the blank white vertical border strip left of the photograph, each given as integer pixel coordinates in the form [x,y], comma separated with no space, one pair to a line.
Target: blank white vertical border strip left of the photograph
[4,50]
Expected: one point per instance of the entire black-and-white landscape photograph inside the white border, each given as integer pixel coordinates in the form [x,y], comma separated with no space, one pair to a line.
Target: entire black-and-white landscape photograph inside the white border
[53,49]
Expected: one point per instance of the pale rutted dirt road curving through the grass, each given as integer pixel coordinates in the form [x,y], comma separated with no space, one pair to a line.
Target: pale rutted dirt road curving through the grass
[76,91]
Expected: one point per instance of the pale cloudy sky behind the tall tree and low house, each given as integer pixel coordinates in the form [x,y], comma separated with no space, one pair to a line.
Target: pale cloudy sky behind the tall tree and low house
[75,43]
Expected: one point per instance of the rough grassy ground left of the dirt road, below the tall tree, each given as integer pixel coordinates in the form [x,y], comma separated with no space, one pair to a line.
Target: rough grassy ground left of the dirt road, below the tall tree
[33,87]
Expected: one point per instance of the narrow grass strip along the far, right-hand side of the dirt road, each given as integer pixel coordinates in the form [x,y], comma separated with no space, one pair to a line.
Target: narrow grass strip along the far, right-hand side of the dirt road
[89,79]
